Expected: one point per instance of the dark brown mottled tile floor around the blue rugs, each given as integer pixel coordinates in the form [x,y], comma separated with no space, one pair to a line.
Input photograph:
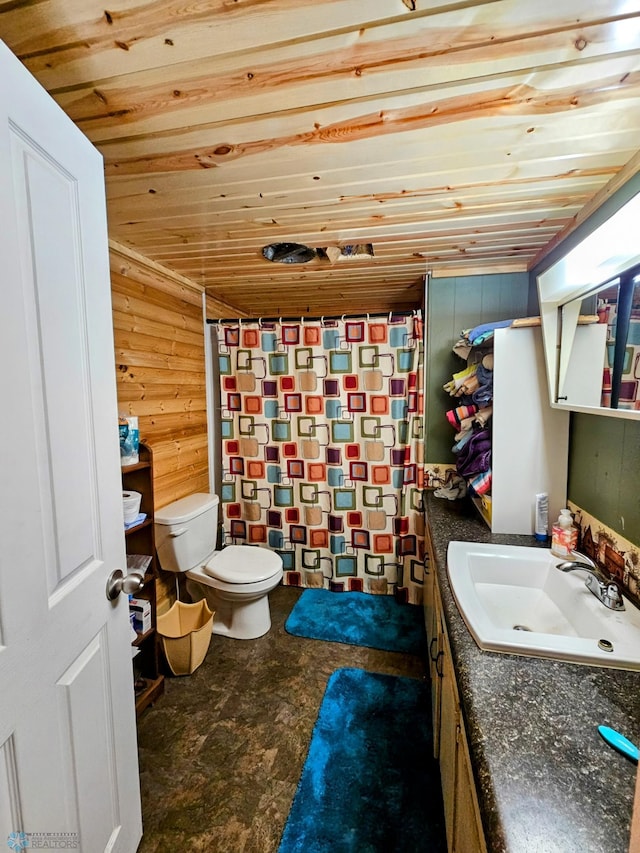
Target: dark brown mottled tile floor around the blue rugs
[222,751]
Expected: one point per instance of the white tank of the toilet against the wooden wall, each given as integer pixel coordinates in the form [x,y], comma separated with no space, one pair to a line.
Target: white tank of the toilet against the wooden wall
[186,532]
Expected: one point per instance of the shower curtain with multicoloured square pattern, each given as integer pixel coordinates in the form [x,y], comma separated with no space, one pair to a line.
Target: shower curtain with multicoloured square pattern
[322,447]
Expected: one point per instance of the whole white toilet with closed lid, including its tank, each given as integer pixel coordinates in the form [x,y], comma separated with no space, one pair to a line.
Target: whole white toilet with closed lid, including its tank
[236,581]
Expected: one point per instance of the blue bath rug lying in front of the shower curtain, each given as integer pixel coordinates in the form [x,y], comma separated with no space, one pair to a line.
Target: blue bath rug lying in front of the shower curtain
[360,619]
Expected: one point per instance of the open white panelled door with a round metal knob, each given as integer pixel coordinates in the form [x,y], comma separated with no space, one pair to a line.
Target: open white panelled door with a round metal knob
[68,757]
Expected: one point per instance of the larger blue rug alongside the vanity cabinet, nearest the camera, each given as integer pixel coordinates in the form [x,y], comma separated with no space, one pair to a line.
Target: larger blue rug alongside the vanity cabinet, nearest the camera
[370,783]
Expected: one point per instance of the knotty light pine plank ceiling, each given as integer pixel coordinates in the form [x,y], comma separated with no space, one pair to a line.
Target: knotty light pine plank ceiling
[456,137]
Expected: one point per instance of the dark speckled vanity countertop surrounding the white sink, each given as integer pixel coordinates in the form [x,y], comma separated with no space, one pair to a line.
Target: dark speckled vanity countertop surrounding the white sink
[546,781]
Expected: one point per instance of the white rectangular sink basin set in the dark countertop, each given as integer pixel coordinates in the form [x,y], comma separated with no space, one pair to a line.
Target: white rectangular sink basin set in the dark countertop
[514,599]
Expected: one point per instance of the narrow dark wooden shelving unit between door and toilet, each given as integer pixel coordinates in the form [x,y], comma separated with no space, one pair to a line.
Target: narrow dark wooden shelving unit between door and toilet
[140,541]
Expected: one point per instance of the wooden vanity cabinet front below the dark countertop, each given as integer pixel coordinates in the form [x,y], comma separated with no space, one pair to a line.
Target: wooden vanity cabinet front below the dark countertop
[461,811]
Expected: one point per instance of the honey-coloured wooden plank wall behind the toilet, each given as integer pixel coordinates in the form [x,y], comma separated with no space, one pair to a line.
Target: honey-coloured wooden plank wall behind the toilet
[160,370]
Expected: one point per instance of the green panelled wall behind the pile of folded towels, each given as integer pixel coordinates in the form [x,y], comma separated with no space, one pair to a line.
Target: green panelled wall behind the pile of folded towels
[455,304]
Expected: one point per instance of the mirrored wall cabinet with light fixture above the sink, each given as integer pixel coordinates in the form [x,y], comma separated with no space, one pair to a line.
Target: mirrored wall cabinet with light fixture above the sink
[590,309]
